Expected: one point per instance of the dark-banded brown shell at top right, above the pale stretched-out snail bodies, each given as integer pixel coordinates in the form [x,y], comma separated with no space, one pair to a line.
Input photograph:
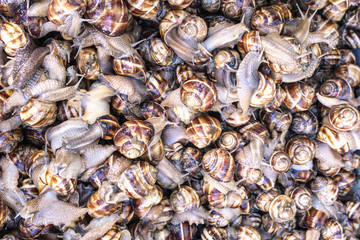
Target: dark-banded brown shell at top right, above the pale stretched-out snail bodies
[269,19]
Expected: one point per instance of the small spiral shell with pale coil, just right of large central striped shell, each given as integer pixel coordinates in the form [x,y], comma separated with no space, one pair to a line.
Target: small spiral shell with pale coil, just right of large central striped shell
[230,140]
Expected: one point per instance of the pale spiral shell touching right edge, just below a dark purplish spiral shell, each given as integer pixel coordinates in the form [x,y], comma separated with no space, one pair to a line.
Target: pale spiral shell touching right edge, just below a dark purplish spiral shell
[344,117]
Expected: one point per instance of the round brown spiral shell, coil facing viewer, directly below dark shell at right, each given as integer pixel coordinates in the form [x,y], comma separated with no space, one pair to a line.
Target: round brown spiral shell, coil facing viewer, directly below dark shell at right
[301,149]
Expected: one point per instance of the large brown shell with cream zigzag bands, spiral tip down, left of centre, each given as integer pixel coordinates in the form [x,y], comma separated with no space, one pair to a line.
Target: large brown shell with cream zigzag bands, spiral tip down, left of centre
[133,138]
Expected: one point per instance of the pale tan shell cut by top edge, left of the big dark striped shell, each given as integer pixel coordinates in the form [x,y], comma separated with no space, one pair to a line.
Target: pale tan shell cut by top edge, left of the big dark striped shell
[59,10]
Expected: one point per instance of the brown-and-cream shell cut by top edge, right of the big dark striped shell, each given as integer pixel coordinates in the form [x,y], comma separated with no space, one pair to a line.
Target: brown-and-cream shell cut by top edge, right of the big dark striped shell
[145,9]
